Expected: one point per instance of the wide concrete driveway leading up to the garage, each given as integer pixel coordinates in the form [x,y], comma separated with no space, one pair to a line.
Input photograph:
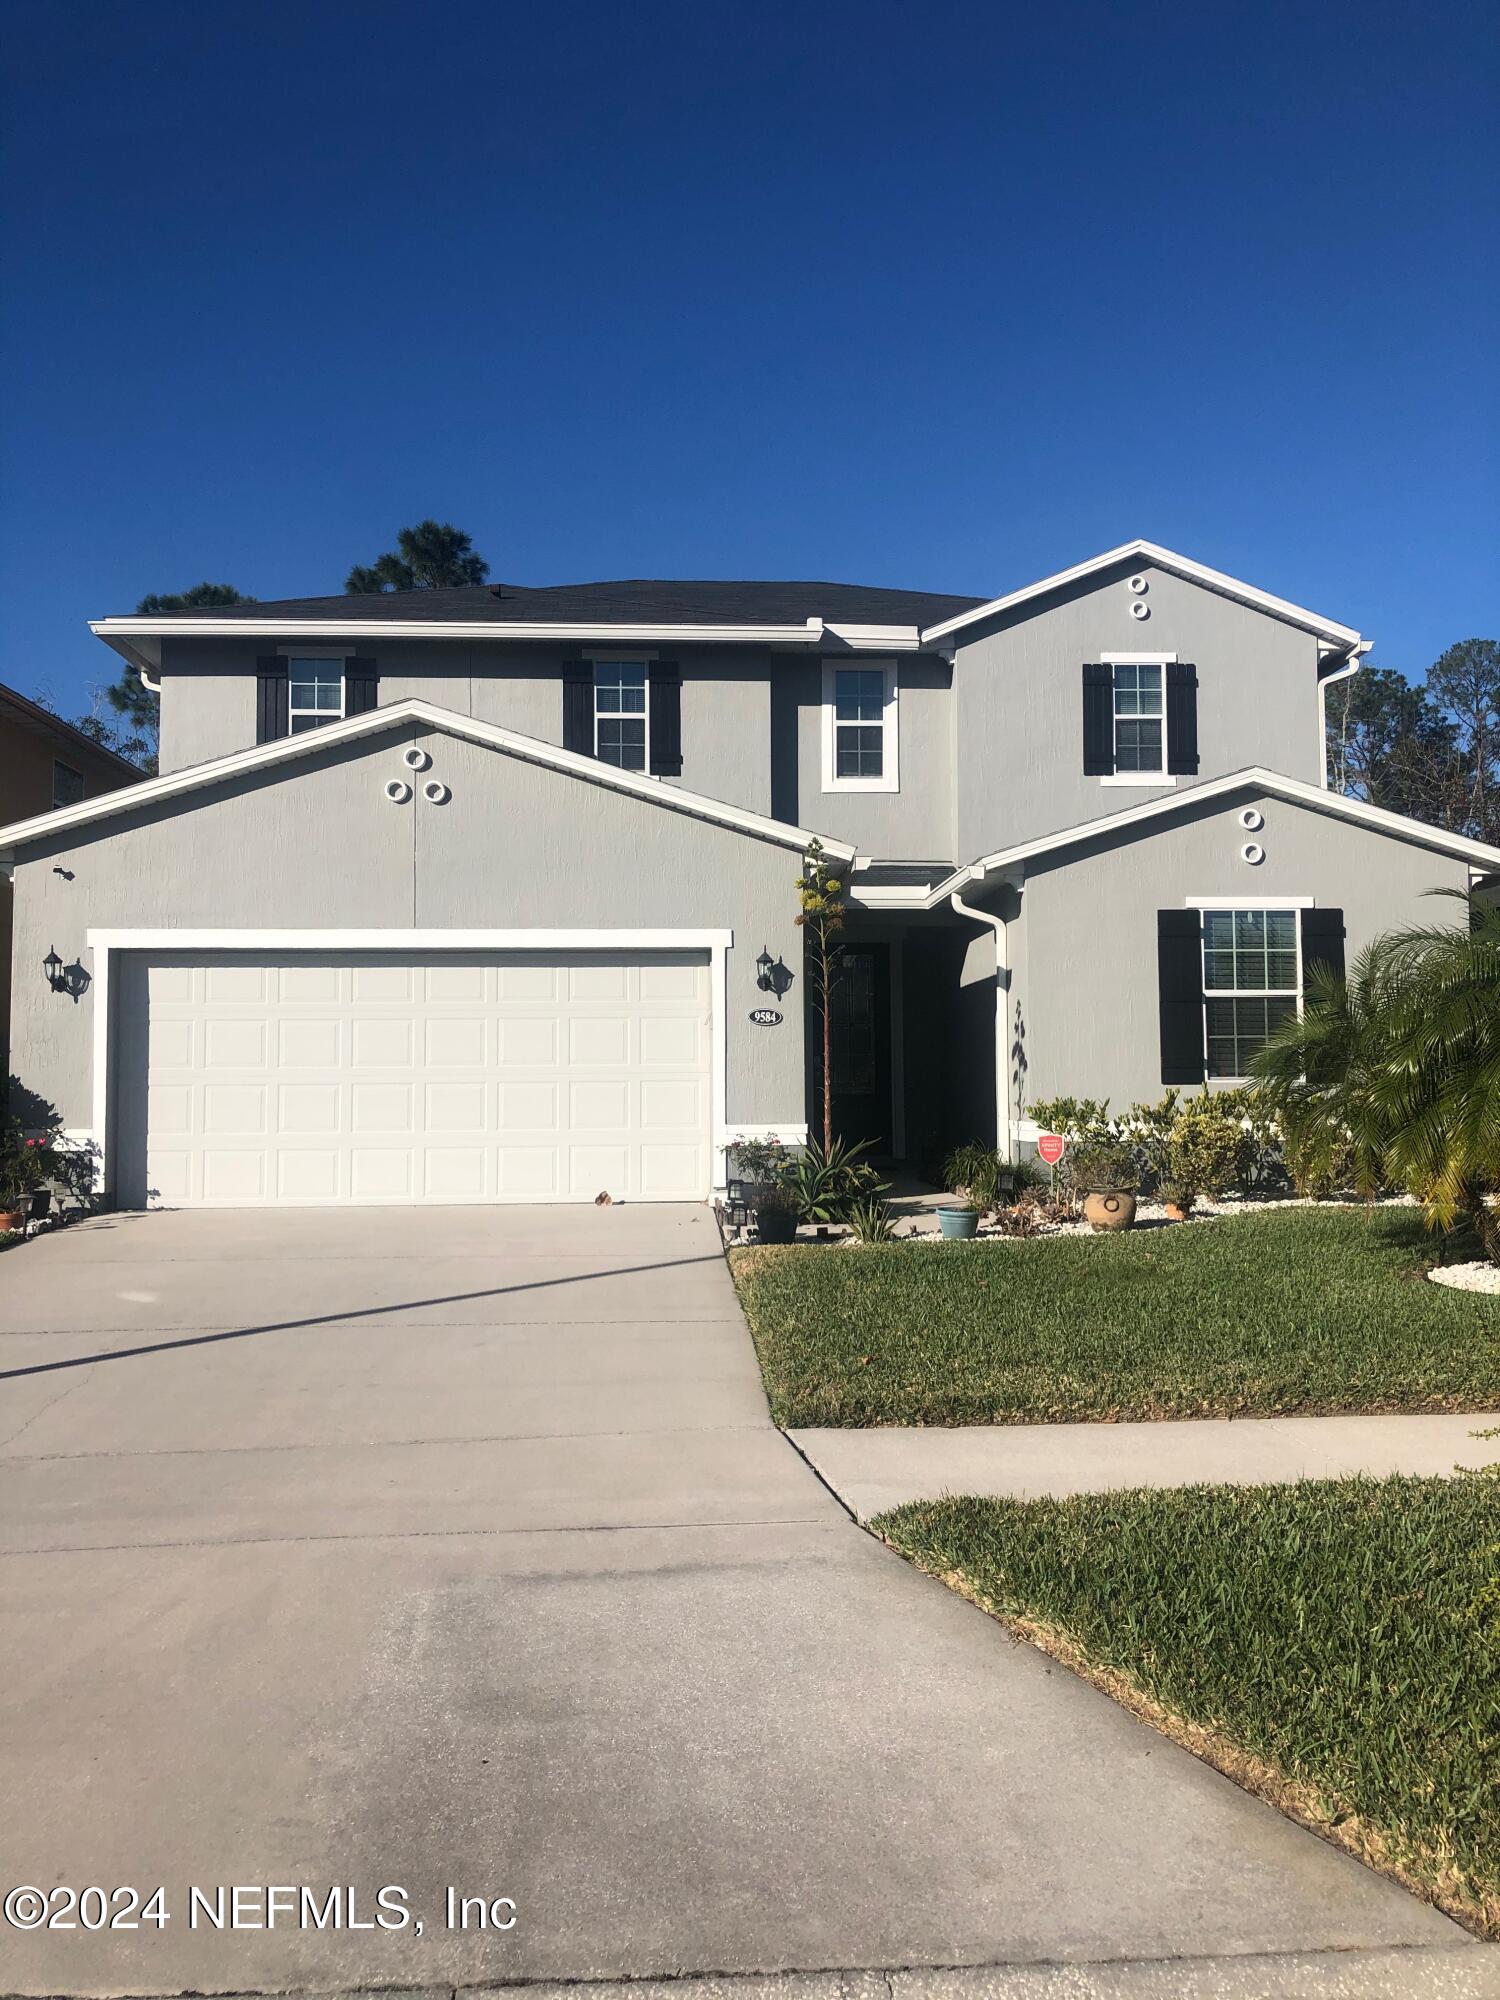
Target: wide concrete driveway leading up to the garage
[455,1549]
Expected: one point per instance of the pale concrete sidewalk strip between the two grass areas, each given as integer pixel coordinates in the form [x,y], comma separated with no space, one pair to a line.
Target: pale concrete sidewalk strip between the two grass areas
[873,1471]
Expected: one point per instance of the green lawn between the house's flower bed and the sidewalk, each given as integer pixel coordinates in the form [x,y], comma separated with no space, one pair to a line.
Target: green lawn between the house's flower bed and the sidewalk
[1287,1311]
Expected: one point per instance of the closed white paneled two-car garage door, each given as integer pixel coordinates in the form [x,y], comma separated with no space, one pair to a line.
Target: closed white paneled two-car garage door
[457,1077]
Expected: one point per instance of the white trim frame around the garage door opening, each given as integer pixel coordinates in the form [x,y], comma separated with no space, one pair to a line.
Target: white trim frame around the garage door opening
[103,947]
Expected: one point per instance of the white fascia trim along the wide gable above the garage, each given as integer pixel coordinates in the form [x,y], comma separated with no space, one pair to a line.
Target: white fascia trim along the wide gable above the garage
[351,729]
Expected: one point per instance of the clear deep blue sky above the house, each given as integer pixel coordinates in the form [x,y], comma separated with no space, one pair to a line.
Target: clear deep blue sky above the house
[943,297]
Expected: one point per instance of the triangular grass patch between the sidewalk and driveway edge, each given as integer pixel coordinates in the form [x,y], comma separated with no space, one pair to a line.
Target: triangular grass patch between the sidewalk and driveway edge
[1333,1645]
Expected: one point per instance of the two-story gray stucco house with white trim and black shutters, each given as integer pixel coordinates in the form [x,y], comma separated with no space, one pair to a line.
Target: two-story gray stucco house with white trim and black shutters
[489,895]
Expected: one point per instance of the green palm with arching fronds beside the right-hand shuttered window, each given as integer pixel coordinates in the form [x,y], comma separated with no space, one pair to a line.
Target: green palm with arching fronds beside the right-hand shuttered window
[1399,1067]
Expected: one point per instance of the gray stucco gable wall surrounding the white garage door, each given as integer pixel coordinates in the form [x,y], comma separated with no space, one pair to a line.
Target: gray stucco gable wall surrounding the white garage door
[317,847]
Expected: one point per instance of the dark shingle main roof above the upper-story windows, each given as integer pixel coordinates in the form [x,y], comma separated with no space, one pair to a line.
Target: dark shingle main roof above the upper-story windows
[633,601]
